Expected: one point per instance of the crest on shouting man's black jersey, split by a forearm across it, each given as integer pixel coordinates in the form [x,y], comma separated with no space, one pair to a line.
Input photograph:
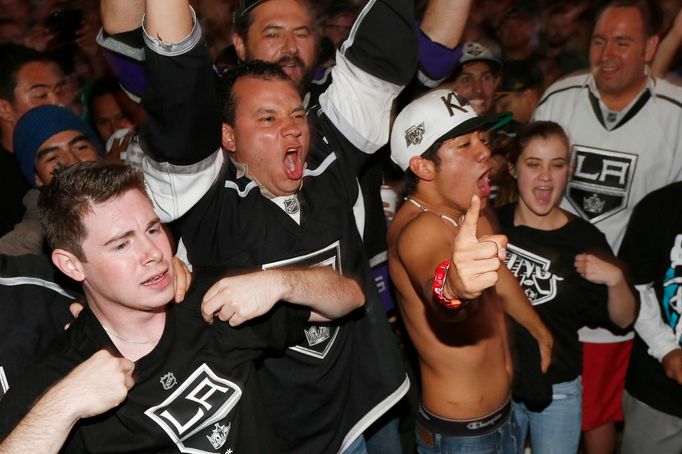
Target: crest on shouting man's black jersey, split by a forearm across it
[319,337]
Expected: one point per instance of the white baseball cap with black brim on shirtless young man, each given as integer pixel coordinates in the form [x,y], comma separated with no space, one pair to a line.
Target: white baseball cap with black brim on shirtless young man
[438,115]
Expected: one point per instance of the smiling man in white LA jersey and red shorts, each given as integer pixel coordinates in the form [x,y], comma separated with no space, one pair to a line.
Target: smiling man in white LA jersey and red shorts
[624,124]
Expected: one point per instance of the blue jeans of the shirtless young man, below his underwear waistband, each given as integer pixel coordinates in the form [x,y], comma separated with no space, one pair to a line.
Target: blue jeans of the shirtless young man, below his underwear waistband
[500,441]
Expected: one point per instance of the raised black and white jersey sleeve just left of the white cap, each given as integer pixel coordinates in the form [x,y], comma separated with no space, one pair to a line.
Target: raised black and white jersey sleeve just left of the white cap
[376,61]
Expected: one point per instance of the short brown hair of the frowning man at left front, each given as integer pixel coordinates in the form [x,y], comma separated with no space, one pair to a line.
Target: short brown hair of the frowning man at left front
[64,202]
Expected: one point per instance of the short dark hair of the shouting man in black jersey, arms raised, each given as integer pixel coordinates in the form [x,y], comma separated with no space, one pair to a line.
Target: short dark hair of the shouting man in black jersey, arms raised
[256,69]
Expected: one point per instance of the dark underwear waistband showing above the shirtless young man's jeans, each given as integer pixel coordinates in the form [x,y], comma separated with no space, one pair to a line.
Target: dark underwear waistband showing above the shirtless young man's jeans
[464,427]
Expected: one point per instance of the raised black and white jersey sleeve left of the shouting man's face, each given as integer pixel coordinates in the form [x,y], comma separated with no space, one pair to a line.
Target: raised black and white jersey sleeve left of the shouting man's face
[181,135]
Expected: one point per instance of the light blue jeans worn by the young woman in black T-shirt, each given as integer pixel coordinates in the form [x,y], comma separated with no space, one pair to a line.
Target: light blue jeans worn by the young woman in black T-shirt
[556,429]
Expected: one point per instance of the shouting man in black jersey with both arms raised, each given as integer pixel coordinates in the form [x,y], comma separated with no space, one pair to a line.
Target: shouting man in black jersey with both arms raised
[280,193]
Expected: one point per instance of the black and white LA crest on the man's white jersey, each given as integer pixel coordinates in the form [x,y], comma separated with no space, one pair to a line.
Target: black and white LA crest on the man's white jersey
[600,186]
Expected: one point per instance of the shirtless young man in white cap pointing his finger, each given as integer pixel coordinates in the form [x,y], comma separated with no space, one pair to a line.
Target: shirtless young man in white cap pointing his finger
[464,357]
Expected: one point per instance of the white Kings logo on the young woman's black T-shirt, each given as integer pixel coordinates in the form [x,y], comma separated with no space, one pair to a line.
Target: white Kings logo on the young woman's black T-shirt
[532,271]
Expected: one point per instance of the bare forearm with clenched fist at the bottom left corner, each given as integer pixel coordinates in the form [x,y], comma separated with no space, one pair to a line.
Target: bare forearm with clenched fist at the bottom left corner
[94,387]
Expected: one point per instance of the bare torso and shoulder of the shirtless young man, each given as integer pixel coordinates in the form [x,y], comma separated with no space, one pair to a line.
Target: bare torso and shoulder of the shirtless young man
[465,365]
